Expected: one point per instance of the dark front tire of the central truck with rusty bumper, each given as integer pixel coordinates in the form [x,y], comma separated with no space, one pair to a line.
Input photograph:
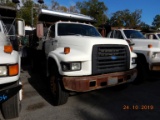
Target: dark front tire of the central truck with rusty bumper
[60,95]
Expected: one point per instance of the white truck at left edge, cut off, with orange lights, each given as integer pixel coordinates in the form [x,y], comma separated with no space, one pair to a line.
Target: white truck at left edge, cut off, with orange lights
[10,62]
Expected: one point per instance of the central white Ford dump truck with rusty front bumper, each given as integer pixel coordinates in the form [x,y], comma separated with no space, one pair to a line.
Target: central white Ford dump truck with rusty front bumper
[78,58]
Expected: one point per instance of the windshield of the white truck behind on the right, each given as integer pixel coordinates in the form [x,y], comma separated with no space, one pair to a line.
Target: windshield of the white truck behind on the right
[134,34]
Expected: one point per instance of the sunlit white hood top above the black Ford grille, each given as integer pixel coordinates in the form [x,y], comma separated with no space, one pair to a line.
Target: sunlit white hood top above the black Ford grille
[84,43]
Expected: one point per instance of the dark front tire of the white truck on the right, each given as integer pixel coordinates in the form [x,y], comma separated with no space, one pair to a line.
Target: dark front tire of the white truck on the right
[143,70]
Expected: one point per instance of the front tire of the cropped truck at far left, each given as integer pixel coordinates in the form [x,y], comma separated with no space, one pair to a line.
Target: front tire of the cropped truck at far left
[11,107]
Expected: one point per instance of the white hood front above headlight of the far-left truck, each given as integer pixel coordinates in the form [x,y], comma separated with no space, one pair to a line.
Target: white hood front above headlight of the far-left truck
[7,58]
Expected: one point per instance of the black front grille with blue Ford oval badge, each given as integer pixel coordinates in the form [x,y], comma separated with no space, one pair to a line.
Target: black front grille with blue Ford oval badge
[110,58]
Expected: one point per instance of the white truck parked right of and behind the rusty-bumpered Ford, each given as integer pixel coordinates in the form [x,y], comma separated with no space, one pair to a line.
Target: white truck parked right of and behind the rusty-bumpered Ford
[148,50]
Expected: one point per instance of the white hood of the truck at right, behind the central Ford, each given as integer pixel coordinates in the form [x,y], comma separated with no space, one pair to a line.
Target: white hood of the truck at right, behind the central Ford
[146,42]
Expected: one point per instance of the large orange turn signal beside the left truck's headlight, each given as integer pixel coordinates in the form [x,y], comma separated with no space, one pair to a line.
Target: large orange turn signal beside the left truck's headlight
[13,70]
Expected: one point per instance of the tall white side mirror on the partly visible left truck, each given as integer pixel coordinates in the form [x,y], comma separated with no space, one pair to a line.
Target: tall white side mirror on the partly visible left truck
[20,25]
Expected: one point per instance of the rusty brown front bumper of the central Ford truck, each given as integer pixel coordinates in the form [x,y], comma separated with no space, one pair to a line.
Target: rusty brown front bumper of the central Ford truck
[88,83]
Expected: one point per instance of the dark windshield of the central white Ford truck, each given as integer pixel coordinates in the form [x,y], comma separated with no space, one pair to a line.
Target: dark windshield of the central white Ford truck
[77,29]
